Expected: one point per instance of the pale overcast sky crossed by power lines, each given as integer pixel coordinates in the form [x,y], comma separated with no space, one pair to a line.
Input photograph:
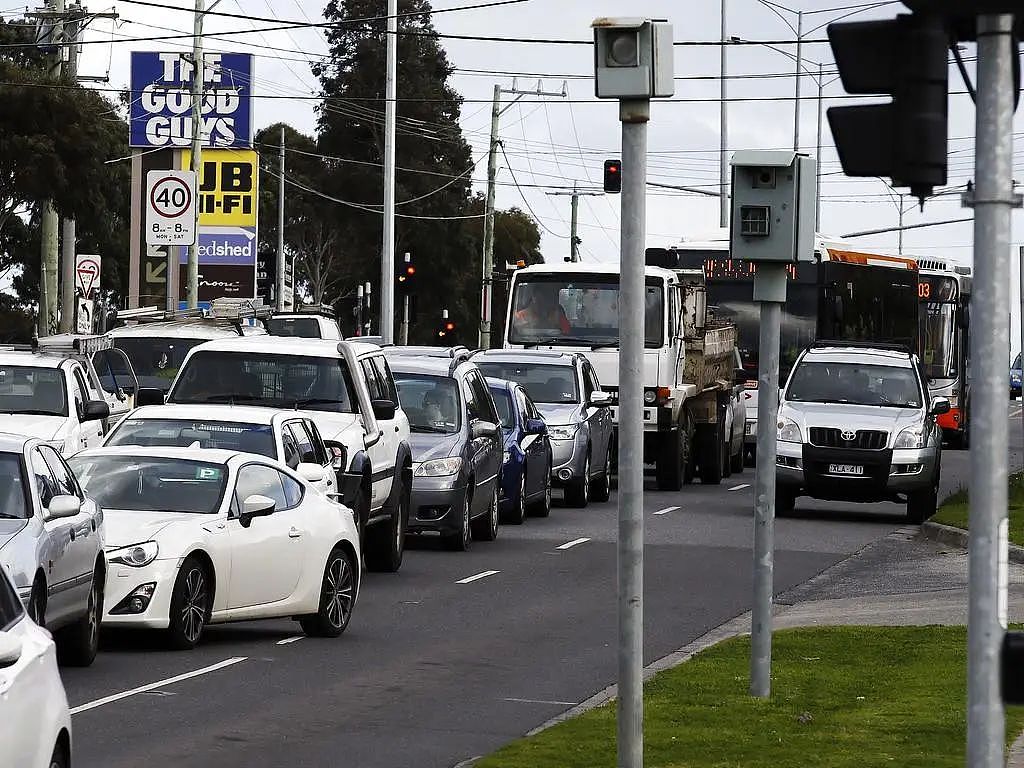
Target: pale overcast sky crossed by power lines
[556,142]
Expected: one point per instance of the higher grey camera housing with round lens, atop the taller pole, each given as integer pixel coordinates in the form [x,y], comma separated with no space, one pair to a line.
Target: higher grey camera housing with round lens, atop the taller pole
[647,74]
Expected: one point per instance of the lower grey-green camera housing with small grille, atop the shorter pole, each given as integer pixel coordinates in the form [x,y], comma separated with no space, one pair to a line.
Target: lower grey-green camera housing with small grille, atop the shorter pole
[774,206]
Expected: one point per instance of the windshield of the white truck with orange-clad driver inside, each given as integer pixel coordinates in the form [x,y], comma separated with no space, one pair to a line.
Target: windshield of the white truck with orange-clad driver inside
[579,310]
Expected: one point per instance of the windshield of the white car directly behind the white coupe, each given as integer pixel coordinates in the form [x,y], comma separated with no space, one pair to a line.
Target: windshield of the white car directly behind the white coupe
[231,436]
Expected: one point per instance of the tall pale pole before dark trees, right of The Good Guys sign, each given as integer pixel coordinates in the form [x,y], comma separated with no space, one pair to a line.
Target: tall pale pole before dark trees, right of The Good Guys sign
[388,251]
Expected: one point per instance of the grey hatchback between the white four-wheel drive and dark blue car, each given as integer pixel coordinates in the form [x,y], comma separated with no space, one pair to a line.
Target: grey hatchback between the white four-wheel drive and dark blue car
[457,449]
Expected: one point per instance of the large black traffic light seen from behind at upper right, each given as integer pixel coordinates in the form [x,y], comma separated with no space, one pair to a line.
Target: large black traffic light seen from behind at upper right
[906,140]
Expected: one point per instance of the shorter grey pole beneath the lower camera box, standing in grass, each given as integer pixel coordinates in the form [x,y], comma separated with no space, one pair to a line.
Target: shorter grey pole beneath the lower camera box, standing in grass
[770,290]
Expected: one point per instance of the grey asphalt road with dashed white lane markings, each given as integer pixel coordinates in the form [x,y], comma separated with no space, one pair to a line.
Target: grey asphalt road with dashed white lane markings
[436,669]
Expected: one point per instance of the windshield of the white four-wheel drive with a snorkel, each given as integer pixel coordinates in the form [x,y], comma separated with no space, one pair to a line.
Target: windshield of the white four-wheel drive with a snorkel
[272,380]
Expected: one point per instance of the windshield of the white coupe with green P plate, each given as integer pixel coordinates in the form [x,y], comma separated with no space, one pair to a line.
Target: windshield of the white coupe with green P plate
[152,484]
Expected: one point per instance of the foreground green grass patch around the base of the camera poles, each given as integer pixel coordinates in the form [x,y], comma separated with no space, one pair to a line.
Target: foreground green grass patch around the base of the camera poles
[858,697]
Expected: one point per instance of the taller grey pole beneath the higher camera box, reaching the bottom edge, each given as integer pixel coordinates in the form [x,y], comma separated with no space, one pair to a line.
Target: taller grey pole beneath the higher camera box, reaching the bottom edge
[634,116]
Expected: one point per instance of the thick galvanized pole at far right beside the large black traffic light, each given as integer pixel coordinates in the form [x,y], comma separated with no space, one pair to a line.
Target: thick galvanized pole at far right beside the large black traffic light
[991,349]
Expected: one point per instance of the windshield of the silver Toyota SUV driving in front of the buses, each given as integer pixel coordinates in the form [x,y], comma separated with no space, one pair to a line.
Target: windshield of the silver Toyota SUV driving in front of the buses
[855,383]
